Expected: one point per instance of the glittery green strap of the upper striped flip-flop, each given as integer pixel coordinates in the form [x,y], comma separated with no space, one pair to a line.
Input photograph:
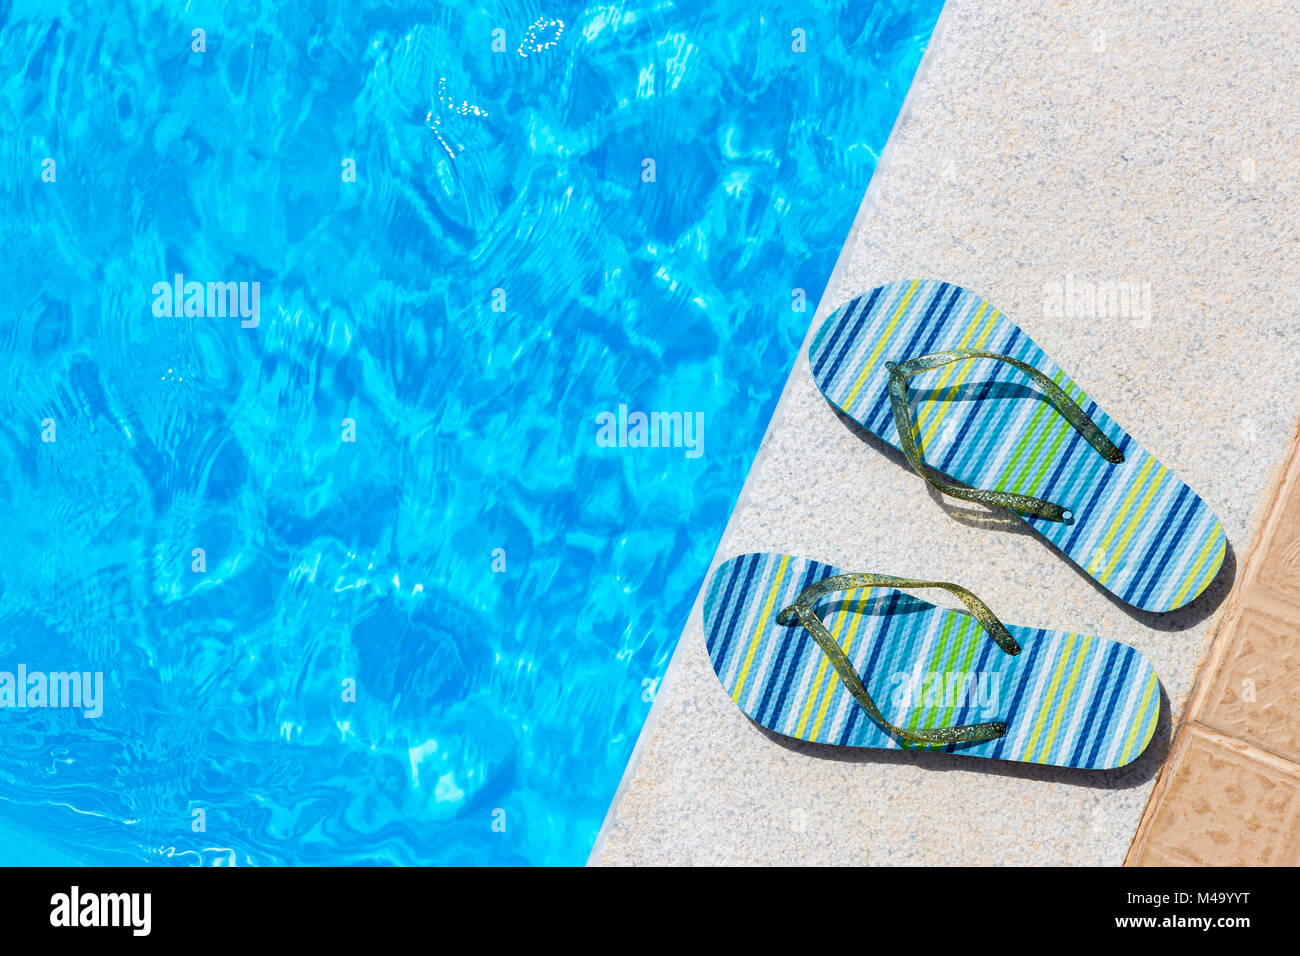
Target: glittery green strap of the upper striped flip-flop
[902,373]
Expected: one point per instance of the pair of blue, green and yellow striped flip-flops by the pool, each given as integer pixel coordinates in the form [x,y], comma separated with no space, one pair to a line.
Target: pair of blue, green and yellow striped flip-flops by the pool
[980,412]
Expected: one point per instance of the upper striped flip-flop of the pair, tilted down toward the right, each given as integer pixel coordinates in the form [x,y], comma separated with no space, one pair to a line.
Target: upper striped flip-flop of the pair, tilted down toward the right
[987,417]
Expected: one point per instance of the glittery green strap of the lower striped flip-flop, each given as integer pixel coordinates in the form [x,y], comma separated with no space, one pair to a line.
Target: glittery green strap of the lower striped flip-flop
[804,612]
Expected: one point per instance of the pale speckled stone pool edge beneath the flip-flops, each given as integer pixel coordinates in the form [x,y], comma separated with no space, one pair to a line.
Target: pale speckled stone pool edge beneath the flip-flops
[1048,158]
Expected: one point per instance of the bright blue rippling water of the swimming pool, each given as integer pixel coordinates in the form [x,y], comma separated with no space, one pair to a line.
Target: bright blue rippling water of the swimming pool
[363,581]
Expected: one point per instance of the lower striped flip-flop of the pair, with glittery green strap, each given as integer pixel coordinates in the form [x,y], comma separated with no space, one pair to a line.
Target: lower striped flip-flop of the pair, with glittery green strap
[813,654]
